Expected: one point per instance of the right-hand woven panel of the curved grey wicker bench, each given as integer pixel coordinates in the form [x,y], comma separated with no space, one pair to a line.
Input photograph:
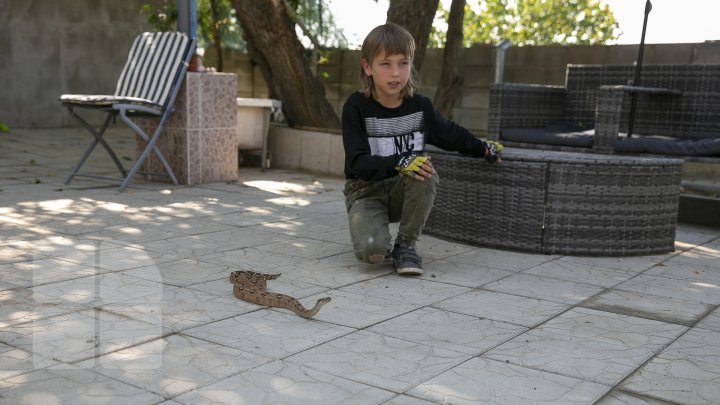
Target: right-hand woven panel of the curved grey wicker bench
[611,209]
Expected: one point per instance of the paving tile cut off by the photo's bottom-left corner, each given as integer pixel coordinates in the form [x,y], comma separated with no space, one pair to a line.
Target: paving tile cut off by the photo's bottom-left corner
[66,384]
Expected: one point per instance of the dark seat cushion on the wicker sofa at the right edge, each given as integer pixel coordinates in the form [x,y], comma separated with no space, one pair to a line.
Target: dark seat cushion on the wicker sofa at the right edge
[663,145]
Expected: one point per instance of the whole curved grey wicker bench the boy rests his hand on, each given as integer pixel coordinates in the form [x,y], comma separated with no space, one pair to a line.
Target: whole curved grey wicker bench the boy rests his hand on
[558,202]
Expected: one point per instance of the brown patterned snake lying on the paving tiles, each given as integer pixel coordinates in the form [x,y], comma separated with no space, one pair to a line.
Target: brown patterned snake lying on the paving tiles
[250,286]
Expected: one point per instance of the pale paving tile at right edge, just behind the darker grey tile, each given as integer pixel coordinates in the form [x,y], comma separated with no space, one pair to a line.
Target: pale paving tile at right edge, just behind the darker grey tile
[685,290]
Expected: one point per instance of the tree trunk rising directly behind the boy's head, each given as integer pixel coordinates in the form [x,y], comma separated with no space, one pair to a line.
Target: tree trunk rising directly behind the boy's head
[416,16]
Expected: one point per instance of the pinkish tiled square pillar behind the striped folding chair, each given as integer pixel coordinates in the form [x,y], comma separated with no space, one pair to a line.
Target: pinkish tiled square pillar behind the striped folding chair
[200,139]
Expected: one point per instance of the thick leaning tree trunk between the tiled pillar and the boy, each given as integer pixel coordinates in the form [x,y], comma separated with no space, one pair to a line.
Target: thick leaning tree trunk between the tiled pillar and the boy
[274,46]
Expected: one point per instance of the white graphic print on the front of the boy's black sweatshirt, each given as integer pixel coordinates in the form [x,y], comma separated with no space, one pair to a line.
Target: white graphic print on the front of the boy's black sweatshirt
[388,136]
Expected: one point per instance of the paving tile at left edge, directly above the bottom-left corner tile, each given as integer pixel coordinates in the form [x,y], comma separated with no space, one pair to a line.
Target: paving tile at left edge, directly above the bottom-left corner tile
[79,335]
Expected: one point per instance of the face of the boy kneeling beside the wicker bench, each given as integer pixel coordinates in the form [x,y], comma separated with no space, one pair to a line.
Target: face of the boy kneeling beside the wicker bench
[390,74]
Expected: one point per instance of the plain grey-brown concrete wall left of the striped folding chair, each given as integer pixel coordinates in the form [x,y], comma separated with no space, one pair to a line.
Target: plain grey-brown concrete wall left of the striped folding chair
[51,47]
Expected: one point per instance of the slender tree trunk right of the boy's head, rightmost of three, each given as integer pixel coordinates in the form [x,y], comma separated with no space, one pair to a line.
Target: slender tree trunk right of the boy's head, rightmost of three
[450,83]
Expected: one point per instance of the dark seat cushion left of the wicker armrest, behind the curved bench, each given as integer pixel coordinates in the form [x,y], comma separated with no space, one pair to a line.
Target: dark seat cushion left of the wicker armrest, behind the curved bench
[561,135]
